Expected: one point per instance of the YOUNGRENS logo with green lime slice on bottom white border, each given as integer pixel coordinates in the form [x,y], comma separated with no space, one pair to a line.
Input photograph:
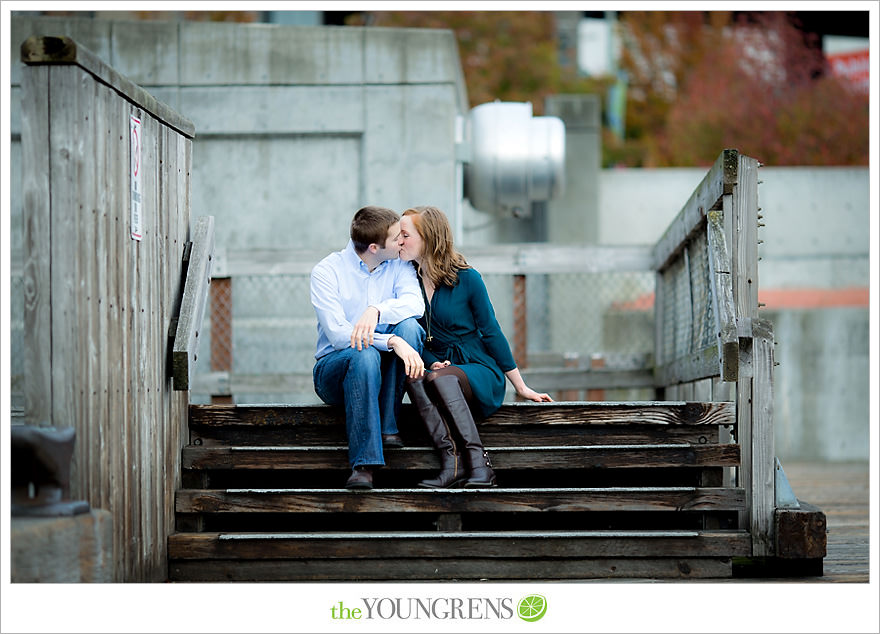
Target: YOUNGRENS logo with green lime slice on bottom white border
[530,608]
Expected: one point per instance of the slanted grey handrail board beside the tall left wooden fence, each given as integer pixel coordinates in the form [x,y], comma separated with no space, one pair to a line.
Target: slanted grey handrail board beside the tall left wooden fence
[192,306]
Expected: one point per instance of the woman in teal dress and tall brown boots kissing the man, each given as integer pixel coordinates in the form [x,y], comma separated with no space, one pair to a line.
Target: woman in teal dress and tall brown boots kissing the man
[465,351]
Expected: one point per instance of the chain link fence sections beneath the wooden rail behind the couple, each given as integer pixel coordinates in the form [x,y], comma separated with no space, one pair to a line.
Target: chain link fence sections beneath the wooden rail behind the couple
[270,330]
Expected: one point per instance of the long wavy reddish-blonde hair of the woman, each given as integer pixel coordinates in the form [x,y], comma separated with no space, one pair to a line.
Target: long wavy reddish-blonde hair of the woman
[440,261]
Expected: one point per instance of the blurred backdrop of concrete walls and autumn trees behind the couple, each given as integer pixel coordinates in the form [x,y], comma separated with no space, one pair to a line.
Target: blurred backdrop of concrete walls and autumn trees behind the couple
[302,117]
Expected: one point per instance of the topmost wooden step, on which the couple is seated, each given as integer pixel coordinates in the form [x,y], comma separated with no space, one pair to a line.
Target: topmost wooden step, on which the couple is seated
[515,424]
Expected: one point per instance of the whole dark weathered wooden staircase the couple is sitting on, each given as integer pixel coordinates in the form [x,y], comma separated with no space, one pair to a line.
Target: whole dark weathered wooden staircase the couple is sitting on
[586,490]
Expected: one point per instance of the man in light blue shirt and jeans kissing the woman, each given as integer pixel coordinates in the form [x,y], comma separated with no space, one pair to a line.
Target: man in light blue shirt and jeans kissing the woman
[367,301]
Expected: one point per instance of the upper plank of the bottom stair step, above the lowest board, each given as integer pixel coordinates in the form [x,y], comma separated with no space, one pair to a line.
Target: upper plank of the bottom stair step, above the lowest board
[503,544]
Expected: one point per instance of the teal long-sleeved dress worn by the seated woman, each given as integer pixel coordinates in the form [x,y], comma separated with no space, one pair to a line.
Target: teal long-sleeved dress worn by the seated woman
[464,330]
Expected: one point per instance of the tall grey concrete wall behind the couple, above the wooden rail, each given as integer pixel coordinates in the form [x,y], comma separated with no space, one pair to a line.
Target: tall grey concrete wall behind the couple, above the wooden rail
[296,126]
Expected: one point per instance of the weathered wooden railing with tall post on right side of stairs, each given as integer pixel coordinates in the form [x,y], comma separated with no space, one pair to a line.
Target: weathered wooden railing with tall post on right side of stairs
[709,340]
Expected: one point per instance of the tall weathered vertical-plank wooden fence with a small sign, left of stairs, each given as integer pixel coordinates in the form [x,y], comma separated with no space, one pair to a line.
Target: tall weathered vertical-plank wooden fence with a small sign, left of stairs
[106,196]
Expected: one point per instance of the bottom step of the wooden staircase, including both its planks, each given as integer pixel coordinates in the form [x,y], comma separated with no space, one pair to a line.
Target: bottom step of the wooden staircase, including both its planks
[495,555]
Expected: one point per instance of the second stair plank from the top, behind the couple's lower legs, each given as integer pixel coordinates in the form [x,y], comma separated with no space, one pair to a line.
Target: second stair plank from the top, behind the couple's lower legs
[584,457]
